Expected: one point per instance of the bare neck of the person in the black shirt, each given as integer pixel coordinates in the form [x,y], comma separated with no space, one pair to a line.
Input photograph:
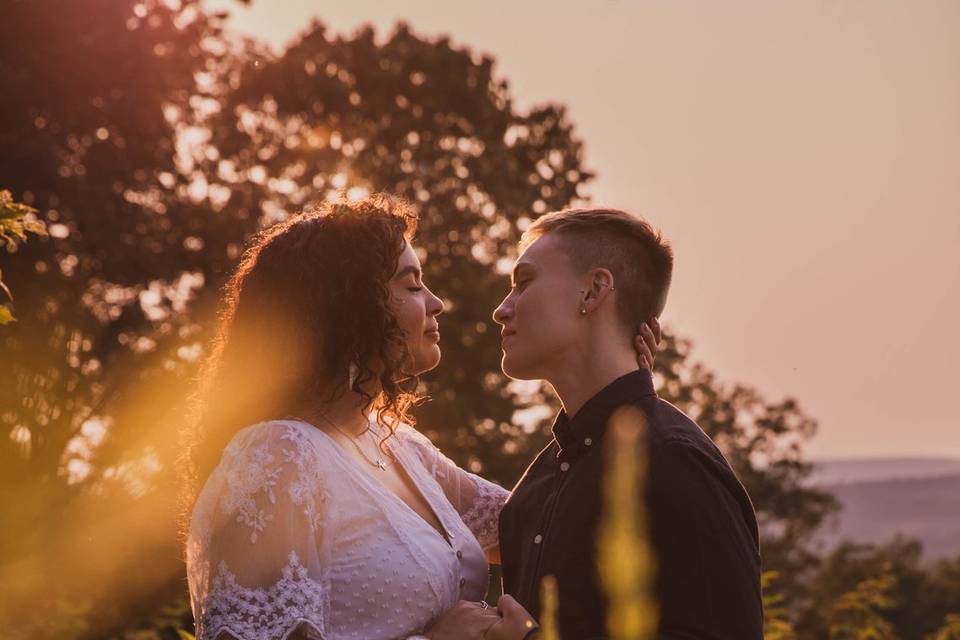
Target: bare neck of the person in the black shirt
[591,366]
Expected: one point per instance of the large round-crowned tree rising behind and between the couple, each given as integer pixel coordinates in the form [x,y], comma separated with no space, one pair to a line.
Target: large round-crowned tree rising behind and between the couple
[430,122]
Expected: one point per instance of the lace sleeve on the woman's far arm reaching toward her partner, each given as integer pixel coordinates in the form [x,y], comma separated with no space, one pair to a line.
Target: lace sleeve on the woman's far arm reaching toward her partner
[478,501]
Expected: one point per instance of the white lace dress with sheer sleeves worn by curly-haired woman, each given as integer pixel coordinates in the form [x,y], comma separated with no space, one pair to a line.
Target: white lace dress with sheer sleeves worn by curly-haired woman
[289,532]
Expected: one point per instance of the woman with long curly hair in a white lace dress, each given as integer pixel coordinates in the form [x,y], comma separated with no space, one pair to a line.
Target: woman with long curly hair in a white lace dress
[317,511]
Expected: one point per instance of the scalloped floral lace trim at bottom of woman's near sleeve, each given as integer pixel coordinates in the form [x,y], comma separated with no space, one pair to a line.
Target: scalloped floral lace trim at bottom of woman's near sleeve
[273,613]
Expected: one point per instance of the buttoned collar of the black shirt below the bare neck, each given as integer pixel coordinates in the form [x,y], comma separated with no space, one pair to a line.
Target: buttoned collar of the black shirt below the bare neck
[589,423]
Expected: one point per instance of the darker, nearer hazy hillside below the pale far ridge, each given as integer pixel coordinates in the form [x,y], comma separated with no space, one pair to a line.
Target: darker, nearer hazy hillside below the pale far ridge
[874,511]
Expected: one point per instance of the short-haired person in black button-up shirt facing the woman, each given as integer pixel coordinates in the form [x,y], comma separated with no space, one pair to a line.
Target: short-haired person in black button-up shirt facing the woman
[584,281]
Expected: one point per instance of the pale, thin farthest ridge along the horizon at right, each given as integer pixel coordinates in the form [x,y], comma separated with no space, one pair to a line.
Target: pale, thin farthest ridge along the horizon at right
[844,471]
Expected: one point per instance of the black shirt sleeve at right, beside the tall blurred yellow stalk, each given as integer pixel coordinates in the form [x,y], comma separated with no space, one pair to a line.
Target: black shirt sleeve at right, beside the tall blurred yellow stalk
[708,564]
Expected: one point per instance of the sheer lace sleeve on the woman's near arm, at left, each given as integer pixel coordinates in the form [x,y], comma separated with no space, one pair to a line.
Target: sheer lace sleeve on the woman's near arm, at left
[255,556]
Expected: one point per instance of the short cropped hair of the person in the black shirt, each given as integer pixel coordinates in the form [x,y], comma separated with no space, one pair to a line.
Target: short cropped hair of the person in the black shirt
[637,255]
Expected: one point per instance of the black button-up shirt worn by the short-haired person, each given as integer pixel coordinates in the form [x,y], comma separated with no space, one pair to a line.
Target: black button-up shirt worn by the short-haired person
[702,525]
